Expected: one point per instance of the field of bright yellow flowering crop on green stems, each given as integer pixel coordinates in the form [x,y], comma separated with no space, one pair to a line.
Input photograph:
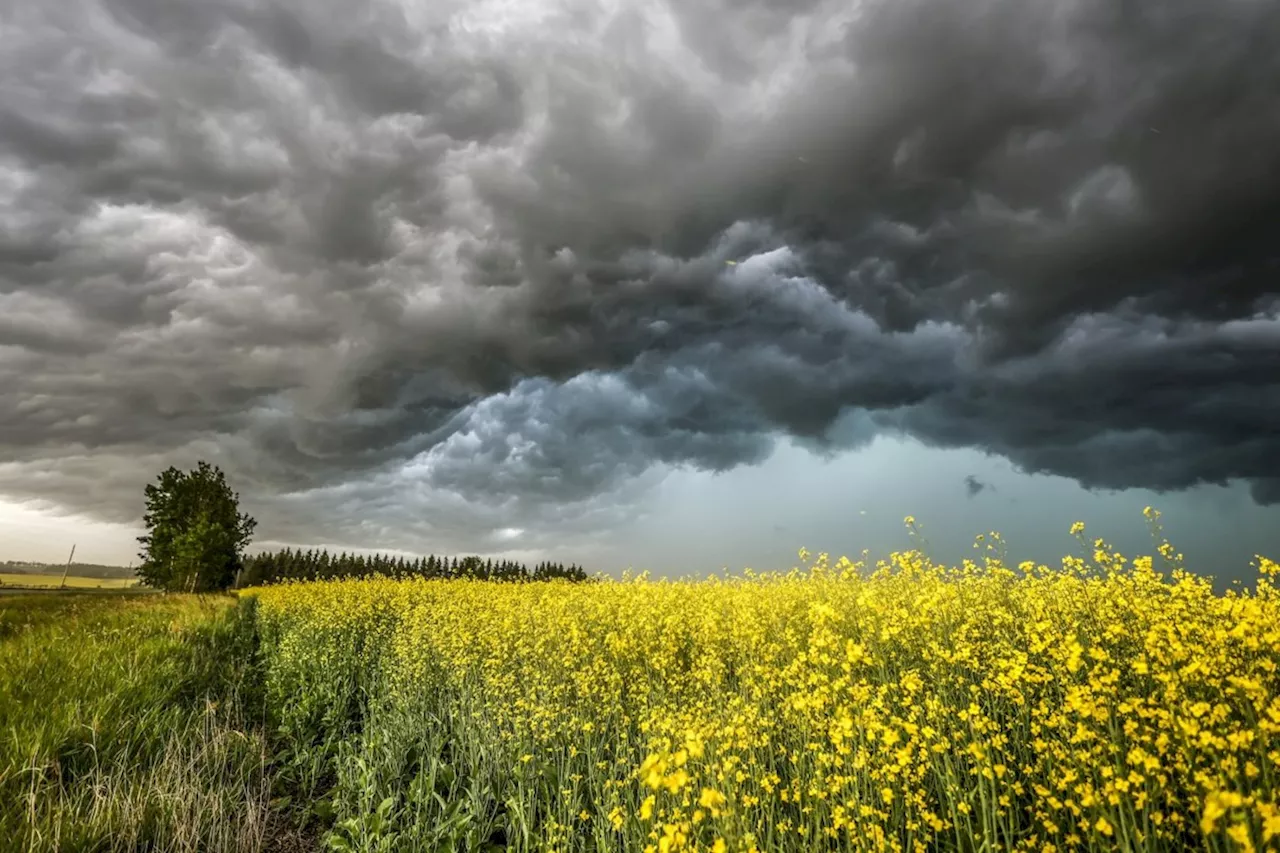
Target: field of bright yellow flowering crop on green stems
[1101,705]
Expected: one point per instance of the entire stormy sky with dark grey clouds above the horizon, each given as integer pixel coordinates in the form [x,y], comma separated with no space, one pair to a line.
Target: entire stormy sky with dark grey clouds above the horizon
[657,285]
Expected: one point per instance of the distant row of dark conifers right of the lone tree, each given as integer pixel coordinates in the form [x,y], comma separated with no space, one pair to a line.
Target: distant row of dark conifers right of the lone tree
[321,565]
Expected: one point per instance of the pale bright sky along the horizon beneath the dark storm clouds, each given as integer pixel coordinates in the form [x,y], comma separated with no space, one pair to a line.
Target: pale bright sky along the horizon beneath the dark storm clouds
[758,517]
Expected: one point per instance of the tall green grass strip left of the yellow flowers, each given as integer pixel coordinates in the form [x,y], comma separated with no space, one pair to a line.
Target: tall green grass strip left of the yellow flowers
[131,723]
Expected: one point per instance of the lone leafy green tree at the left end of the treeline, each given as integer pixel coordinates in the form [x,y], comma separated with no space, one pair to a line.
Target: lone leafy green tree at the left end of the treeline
[196,535]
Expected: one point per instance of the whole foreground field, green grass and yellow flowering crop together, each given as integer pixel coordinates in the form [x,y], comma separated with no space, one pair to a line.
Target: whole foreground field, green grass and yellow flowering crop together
[1109,704]
